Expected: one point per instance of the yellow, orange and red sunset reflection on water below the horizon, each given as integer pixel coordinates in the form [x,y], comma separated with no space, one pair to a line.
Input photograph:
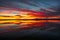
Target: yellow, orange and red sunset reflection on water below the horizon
[24,23]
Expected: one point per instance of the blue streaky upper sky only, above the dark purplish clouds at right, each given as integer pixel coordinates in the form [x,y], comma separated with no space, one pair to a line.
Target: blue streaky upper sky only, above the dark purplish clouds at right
[30,4]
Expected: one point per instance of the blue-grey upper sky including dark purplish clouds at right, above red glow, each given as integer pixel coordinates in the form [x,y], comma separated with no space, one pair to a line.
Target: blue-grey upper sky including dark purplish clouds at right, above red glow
[52,6]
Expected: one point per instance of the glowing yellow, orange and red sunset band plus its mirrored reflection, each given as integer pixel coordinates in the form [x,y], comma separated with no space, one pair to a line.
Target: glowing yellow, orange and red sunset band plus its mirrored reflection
[24,18]
